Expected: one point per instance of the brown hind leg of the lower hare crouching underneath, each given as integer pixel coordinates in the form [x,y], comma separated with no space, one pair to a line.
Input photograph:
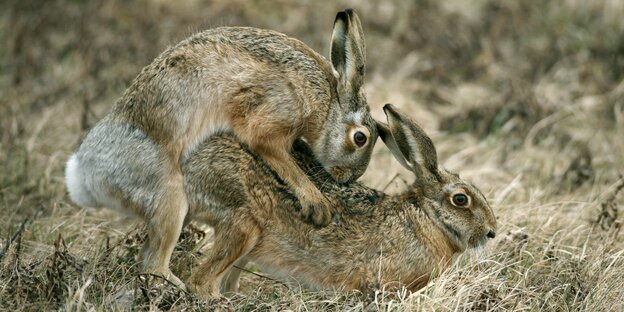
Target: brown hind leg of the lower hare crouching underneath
[233,241]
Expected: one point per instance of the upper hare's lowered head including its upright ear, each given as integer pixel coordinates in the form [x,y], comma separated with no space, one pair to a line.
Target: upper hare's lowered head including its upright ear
[350,132]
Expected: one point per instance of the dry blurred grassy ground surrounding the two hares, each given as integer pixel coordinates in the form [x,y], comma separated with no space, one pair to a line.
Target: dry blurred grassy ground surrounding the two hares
[524,98]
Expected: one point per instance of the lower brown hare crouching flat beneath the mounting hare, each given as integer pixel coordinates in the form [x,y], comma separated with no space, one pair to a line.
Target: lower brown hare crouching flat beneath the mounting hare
[373,239]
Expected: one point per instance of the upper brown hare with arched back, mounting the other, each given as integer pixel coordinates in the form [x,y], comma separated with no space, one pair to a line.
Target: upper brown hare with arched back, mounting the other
[266,88]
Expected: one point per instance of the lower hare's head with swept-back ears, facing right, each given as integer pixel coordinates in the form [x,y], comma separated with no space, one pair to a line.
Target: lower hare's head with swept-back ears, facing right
[457,207]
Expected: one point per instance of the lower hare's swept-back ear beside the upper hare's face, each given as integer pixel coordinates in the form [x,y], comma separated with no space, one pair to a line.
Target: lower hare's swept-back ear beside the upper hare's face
[411,142]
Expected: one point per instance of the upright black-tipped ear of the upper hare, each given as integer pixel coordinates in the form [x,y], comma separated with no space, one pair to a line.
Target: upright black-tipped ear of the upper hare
[348,50]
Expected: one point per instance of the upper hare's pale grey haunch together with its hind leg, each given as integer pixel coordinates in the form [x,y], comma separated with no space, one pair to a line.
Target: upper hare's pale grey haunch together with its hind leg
[123,168]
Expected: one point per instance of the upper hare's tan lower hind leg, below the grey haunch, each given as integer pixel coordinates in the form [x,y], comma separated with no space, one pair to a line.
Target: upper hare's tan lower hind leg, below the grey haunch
[163,229]
